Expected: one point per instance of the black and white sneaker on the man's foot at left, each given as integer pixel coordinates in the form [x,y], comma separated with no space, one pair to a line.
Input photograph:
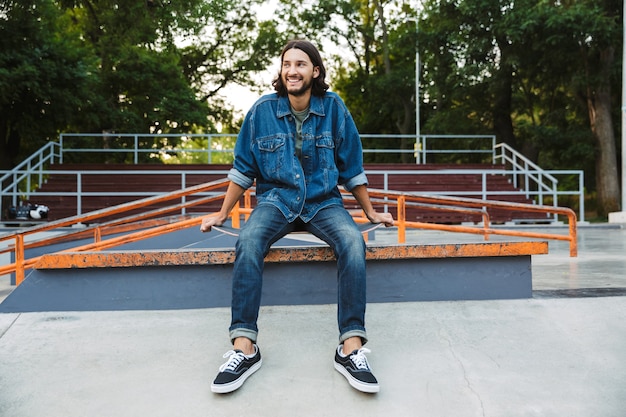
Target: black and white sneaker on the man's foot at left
[234,372]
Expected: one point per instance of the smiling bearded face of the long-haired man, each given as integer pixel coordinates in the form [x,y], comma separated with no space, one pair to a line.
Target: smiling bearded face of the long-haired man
[298,72]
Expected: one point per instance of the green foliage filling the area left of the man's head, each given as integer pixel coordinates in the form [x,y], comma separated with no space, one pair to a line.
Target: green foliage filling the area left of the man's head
[110,66]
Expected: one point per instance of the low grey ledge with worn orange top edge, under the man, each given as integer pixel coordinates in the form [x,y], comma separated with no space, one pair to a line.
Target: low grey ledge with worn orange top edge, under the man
[187,279]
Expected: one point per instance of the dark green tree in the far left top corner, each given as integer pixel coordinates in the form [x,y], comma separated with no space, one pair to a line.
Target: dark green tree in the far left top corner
[44,73]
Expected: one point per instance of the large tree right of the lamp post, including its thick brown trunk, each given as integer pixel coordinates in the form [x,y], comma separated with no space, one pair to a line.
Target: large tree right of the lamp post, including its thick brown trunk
[526,71]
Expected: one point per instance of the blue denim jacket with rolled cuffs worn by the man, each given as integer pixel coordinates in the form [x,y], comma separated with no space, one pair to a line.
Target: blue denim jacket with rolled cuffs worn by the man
[332,155]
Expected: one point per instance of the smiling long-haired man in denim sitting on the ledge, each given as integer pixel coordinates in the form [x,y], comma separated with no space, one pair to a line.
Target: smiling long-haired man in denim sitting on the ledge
[299,144]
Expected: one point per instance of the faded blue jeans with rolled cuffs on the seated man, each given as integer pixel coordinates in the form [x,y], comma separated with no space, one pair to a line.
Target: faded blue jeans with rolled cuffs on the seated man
[265,226]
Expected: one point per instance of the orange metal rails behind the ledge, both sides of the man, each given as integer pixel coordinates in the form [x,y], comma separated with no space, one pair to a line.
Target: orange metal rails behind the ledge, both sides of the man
[145,225]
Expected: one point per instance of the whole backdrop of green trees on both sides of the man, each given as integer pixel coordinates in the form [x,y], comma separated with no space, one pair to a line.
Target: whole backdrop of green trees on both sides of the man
[533,72]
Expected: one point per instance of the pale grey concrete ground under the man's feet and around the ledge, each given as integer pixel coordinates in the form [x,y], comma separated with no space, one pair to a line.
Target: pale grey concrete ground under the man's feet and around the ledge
[561,353]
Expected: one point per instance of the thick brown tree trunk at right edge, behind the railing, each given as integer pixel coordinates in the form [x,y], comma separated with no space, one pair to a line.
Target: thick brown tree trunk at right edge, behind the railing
[599,106]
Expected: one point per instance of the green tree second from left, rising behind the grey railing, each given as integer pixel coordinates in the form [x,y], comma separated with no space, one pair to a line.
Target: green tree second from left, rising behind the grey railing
[140,86]
